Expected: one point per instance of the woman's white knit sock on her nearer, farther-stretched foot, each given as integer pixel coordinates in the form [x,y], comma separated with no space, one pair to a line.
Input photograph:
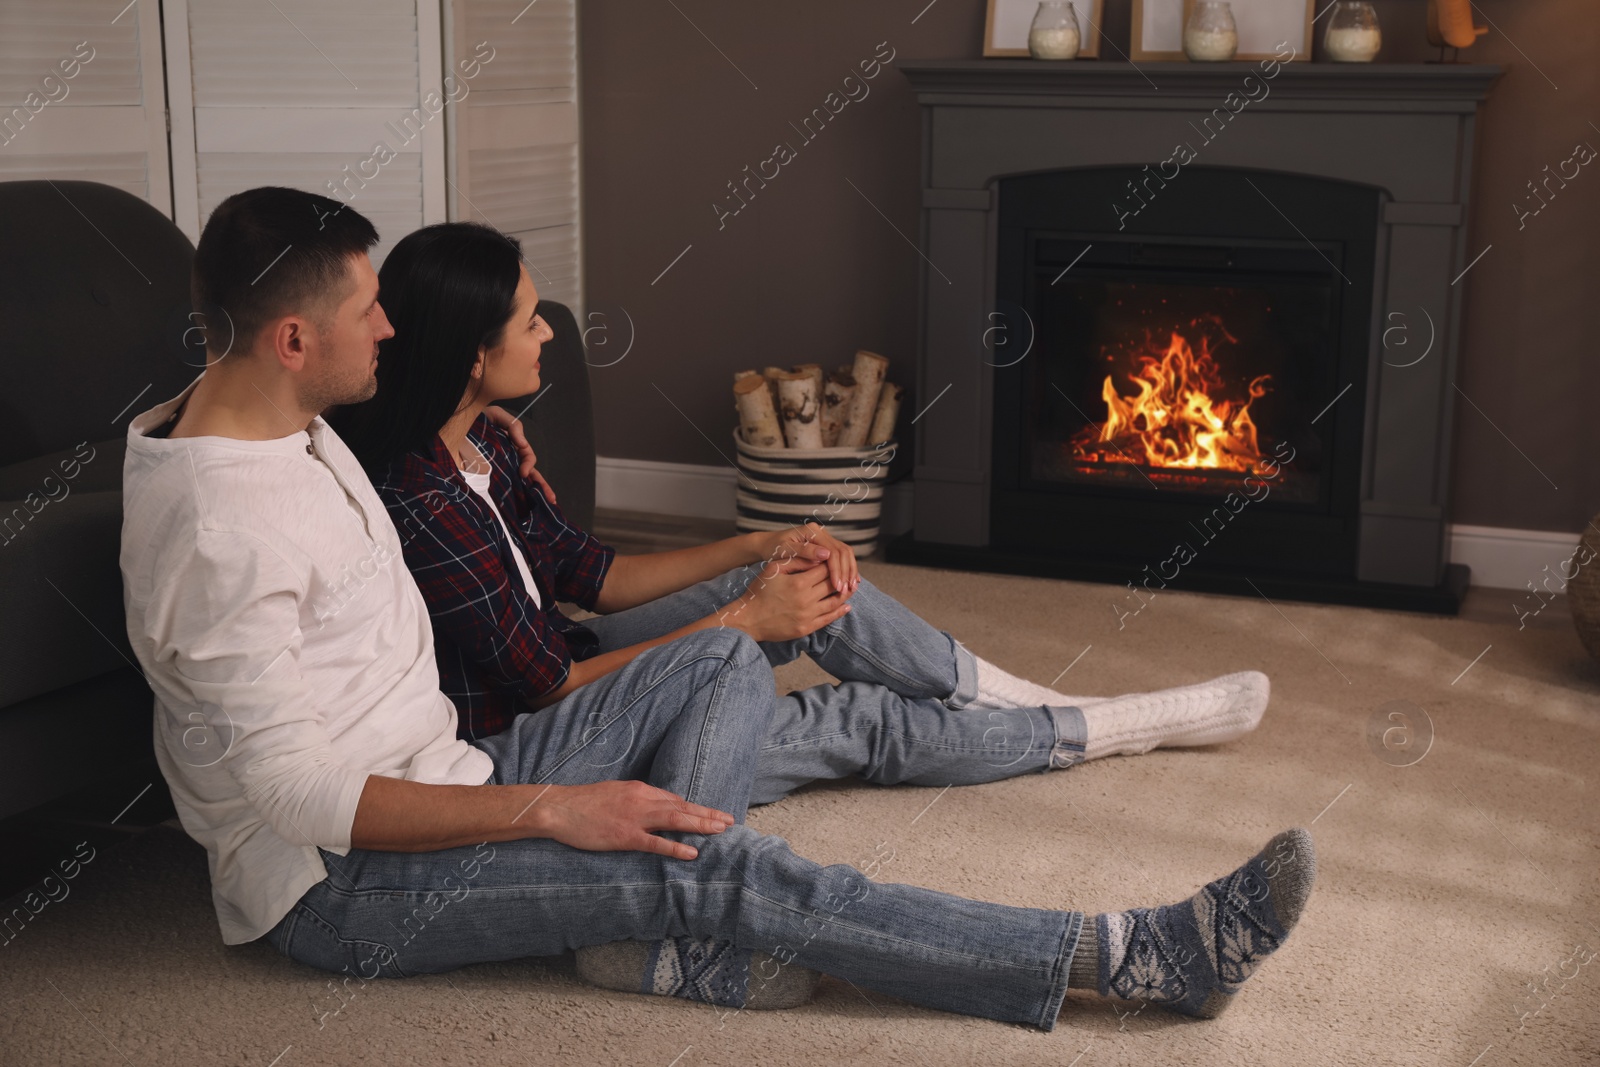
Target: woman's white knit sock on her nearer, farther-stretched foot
[1204,714]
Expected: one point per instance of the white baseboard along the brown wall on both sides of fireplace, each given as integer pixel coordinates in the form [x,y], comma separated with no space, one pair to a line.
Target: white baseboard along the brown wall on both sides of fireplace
[1500,557]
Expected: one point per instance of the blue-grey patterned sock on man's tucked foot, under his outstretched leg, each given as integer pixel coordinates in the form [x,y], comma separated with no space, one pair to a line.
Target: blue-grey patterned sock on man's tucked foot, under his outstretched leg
[698,969]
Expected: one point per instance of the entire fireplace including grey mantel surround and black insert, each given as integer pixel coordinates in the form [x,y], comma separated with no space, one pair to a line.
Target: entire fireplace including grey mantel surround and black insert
[1135,372]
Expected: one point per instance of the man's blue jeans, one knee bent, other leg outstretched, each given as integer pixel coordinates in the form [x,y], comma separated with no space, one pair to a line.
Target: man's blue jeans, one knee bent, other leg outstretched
[686,717]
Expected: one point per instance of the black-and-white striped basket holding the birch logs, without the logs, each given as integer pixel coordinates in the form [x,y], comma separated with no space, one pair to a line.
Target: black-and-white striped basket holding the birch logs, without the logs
[841,489]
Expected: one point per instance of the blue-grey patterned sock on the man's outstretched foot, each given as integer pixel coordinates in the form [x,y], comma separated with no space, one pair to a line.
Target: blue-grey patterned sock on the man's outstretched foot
[1194,956]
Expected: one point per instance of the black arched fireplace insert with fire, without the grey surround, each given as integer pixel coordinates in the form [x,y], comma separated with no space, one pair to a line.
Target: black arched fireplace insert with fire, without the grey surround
[1148,378]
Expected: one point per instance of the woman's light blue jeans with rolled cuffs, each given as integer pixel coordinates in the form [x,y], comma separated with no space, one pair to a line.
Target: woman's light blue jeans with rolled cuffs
[895,716]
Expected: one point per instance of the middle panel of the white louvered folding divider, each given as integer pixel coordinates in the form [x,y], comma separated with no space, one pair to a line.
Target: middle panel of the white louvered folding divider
[337,98]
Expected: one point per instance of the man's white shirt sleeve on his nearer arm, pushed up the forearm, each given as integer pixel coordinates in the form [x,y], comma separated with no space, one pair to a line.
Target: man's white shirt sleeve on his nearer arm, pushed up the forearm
[228,625]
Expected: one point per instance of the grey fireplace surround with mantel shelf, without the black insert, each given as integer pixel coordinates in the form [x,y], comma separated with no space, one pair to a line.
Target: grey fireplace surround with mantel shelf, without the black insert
[1402,129]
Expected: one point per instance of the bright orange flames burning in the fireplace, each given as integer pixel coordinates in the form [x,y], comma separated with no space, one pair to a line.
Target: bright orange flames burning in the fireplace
[1177,417]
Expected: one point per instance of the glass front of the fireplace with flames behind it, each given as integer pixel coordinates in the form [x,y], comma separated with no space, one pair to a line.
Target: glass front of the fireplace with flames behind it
[1178,370]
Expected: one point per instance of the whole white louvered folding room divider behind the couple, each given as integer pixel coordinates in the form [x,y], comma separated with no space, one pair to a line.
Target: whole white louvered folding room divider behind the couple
[406,110]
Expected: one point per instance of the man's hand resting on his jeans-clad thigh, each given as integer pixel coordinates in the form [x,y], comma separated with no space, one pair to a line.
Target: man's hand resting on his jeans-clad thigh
[622,817]
